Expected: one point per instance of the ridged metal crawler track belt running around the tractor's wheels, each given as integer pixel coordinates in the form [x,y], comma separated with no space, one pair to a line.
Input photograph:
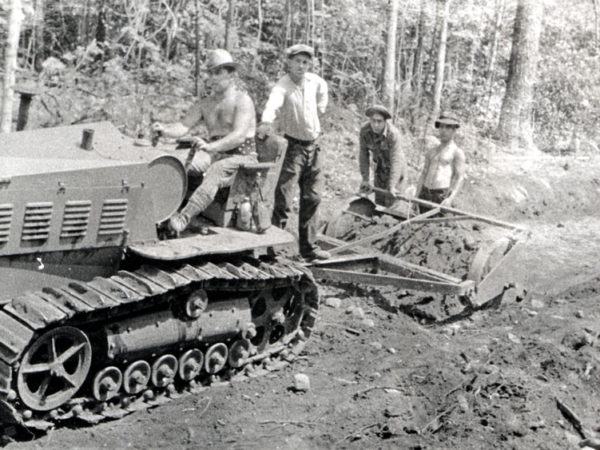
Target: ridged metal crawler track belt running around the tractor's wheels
[103,301]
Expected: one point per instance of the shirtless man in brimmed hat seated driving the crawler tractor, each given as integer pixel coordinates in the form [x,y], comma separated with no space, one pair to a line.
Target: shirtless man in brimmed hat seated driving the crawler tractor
[230,120]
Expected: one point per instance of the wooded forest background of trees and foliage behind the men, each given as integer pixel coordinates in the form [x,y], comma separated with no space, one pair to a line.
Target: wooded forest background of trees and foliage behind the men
[524,72]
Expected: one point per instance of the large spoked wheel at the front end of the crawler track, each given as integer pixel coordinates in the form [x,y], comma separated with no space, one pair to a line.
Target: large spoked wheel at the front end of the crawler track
[54,368]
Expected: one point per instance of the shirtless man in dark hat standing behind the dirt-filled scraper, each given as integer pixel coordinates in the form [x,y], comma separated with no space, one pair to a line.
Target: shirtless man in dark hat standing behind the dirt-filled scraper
[444,170]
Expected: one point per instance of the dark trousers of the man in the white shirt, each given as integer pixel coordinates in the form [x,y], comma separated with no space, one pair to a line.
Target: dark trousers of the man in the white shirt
[301,165]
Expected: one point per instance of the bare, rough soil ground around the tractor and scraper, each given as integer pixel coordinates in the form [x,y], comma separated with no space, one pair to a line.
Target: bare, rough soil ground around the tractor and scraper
[382,379]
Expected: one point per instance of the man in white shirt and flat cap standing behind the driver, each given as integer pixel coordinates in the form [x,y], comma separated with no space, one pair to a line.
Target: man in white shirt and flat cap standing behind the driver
[296,101]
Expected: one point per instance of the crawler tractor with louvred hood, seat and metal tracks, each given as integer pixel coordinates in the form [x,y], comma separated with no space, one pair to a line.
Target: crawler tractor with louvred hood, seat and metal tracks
[102,312]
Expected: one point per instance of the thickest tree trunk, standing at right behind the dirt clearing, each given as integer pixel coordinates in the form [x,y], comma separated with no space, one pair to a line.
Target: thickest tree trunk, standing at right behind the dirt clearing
[515,121]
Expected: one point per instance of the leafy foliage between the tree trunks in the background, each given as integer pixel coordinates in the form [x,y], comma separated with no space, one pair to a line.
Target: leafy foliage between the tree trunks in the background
[140,56]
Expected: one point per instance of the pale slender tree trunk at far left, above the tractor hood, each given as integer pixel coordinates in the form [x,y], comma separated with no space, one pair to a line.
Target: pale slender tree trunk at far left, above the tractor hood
[10,64]
